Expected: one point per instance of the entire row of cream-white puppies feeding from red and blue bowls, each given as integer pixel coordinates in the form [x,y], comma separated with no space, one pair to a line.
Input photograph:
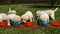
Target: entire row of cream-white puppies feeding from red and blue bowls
[41,15]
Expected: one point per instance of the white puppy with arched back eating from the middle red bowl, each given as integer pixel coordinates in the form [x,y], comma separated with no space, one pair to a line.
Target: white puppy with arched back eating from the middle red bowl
[27,16]
